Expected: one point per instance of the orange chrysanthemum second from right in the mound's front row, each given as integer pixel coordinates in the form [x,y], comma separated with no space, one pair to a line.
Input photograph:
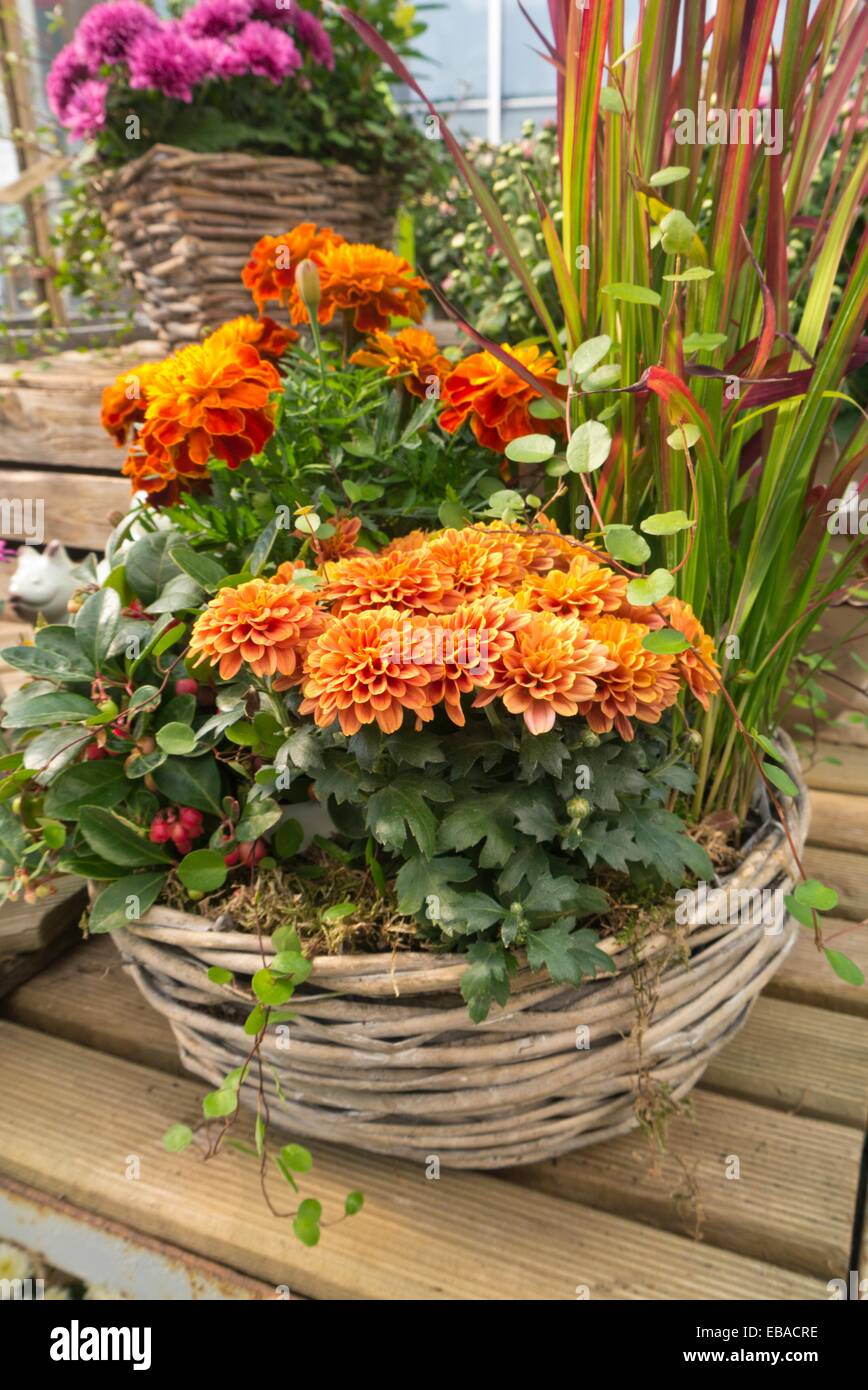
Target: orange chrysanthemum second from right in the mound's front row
[641,685]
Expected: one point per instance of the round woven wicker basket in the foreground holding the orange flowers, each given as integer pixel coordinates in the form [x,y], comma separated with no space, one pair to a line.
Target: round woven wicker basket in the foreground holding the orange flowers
[394,1065]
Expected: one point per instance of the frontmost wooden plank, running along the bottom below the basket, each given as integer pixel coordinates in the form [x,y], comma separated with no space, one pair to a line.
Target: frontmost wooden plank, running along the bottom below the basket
[73,1117]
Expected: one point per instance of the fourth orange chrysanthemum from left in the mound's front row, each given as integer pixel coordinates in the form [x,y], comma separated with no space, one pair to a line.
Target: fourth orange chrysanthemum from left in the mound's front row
[547,672]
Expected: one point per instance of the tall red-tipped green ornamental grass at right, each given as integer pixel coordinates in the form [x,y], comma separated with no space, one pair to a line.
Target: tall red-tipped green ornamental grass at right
[703,332]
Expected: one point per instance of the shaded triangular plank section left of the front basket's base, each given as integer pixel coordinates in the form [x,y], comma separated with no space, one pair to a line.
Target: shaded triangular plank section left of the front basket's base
[87,997]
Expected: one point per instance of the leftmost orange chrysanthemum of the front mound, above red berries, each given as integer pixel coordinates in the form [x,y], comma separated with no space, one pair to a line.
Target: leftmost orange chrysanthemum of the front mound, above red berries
[262,625]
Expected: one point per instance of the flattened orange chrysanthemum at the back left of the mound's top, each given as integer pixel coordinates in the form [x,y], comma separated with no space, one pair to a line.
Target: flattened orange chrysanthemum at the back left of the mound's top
[396,579]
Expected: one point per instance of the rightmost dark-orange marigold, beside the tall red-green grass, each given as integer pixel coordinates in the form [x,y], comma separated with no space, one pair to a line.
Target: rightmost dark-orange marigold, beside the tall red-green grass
[495,397]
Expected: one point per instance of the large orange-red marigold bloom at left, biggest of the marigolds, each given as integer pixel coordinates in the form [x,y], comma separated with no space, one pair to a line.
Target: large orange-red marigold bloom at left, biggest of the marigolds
[212,400]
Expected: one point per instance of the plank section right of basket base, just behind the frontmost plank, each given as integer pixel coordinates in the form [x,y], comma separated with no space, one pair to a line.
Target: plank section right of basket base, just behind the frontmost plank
[792,1203]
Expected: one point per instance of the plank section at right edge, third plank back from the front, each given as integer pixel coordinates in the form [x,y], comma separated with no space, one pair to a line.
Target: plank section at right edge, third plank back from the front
[801,1060]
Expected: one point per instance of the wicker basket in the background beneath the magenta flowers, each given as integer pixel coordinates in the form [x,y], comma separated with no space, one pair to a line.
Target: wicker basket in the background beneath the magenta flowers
[183,226]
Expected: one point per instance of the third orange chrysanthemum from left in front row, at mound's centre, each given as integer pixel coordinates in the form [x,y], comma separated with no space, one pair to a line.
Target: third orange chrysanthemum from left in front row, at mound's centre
[467,648]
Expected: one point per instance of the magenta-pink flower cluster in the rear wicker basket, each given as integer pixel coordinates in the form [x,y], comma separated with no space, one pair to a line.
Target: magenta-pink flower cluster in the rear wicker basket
[216,41]
